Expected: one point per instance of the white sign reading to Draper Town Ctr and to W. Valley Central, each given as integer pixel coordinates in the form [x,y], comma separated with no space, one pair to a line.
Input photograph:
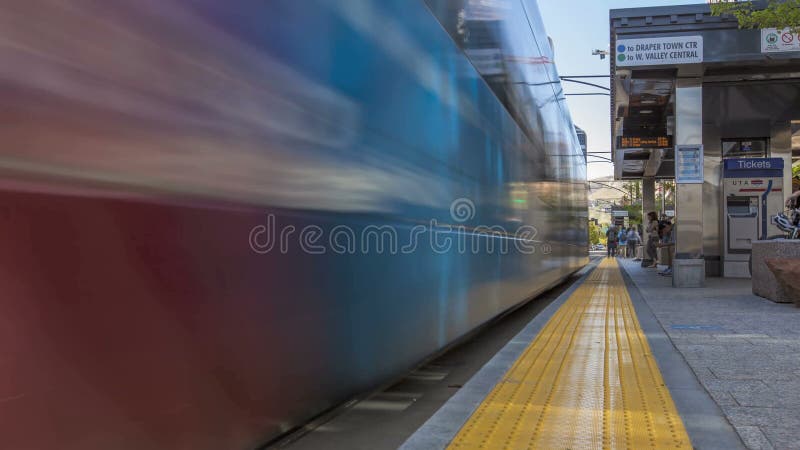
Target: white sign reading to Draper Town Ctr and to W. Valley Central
[660,51]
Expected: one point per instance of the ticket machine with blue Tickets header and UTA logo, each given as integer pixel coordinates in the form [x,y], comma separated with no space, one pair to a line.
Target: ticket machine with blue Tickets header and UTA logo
[753,190]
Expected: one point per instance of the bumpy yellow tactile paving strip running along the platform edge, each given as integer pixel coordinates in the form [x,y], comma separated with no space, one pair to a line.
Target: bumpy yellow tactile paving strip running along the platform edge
[588,380]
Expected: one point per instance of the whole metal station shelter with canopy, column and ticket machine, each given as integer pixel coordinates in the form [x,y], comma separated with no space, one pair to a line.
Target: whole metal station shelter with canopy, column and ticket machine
[716,108]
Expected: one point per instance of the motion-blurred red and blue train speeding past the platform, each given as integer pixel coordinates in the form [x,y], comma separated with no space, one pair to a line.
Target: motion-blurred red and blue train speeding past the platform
[221,218]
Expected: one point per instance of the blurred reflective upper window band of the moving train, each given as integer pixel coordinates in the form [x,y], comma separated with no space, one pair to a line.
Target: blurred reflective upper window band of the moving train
[507,45]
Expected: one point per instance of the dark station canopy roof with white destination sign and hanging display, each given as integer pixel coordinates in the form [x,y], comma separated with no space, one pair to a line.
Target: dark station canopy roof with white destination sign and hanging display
[652,48]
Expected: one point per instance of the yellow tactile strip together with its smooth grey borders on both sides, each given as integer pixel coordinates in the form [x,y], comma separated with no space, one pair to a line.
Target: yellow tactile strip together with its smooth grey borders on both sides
[594,371]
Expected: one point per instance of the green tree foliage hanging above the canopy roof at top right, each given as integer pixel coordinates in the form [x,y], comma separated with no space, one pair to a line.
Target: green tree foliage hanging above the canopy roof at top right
[778,14]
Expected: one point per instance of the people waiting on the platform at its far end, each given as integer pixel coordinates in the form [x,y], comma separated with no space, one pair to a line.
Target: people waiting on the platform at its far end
[660,234]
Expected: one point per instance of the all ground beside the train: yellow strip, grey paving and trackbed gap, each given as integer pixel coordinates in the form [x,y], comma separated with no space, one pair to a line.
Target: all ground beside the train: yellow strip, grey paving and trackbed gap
[619,359]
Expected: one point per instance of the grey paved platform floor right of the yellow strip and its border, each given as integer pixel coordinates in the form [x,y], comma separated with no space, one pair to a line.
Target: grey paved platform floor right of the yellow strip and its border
[744,349]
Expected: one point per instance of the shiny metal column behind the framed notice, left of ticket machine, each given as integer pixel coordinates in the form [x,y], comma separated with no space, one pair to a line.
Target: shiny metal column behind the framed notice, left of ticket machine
[689,264]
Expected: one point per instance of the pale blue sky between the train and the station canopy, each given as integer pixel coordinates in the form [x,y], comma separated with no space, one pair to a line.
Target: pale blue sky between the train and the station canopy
[577,27]
